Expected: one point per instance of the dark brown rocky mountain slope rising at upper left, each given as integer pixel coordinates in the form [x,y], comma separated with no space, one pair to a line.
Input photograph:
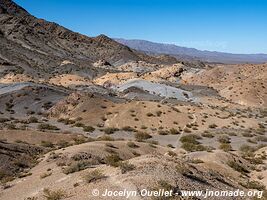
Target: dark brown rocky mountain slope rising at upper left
[33,43]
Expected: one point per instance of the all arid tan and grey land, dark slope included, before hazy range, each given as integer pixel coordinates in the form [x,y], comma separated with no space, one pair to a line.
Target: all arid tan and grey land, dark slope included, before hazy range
[79,113]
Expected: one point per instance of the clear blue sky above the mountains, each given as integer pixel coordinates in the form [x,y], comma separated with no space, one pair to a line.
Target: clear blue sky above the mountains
[237,26]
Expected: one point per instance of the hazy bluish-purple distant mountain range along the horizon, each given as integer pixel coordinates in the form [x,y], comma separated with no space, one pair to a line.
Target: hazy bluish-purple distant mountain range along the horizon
[185,53]
